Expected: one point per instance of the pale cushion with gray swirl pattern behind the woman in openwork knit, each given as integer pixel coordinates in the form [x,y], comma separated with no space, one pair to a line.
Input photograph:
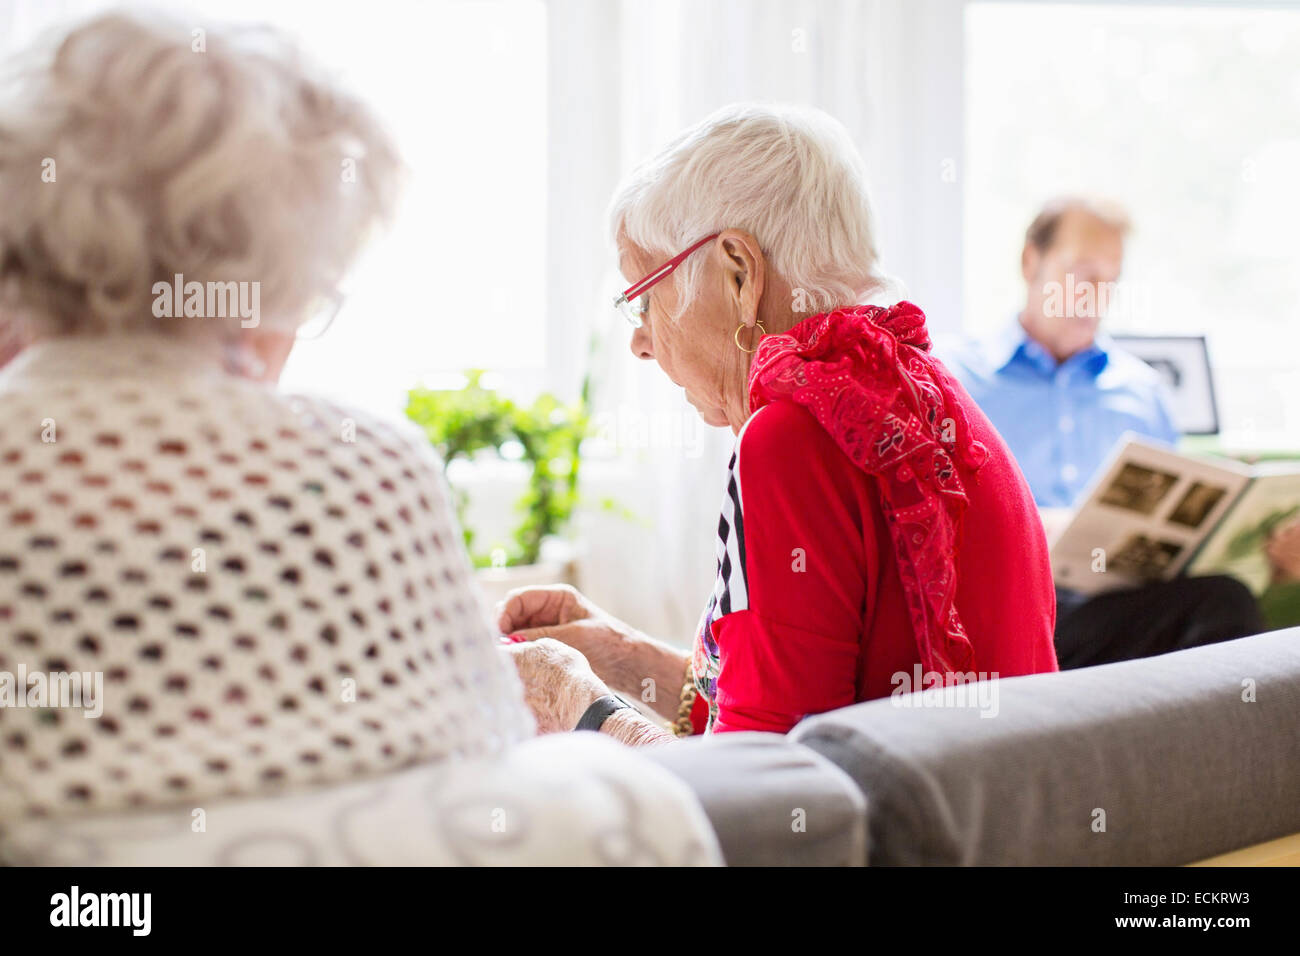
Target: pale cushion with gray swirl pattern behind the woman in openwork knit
[575,799]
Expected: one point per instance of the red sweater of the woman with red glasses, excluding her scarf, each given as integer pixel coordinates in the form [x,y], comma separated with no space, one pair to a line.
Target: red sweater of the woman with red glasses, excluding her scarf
[809,615]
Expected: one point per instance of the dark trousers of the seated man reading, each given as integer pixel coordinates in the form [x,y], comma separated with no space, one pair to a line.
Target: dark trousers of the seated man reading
[1154,620]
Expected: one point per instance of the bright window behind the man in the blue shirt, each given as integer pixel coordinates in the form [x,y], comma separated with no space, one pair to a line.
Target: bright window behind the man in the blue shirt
[1191,118]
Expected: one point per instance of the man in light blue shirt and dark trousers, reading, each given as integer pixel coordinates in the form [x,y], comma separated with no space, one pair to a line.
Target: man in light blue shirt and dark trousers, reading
[1061,393]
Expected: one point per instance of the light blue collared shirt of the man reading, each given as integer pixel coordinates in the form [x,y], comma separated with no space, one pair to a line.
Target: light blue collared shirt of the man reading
[1063,421]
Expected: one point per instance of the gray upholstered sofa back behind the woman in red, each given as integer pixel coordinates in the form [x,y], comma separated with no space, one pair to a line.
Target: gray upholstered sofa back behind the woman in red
[1162,762]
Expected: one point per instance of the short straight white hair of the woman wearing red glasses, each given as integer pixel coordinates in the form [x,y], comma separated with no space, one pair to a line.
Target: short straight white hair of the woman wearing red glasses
[788,176]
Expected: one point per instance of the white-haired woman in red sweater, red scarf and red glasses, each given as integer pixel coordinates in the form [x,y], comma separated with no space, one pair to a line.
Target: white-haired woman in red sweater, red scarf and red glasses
[876,534]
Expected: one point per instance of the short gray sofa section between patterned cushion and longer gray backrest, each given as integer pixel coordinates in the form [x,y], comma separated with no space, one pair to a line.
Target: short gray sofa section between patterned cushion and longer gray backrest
[772,802]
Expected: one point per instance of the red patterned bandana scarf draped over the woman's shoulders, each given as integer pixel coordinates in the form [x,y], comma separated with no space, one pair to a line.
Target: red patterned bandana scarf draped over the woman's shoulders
[866,374]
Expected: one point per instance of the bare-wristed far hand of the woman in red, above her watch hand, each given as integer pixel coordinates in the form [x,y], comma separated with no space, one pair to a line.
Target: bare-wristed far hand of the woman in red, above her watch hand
[562,613]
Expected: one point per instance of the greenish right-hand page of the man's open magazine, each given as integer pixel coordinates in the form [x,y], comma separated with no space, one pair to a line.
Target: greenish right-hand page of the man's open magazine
[1259,543]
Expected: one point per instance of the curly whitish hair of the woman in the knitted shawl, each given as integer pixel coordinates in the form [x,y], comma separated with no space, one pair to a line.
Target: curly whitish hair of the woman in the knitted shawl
[223,165]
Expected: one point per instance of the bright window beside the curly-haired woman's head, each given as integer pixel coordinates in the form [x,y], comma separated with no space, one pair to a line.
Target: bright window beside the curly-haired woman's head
[460,282]
